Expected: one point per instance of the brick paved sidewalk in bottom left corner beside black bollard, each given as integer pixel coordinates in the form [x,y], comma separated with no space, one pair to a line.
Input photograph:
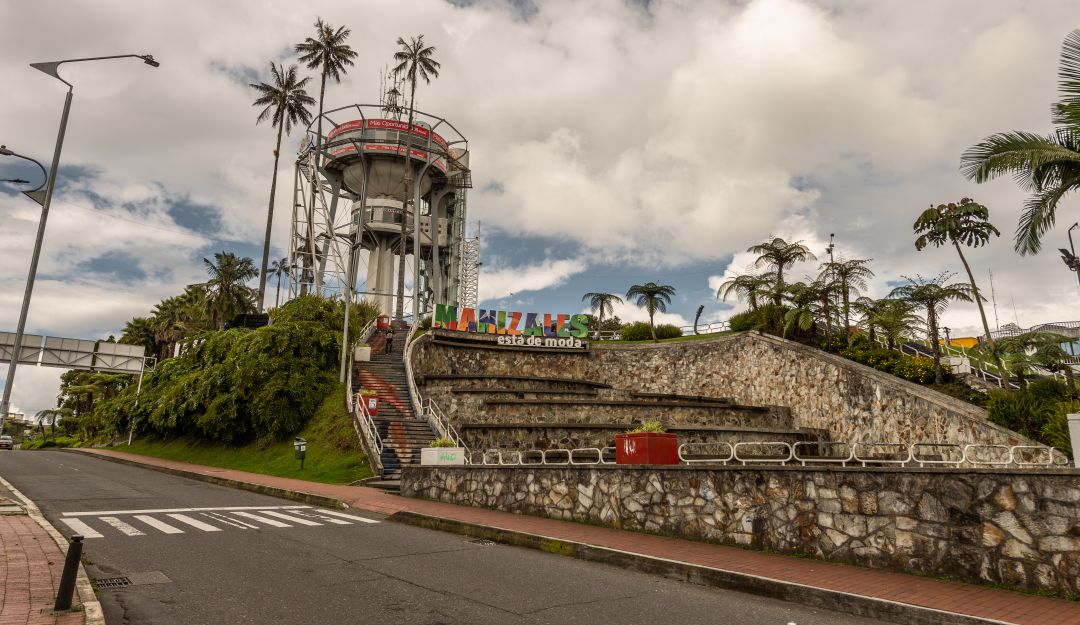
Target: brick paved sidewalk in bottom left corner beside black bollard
[31,567]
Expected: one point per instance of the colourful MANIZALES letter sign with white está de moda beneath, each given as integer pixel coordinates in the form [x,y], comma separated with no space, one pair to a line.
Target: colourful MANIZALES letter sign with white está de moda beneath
[515,329]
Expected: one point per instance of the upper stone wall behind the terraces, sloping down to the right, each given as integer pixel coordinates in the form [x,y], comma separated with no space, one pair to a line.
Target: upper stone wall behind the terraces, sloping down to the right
[852,402]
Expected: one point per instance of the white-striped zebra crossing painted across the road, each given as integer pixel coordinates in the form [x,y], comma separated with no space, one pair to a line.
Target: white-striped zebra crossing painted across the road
[181,521]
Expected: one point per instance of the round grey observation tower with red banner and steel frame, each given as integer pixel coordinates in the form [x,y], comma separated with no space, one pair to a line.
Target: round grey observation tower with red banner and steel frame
[348,208]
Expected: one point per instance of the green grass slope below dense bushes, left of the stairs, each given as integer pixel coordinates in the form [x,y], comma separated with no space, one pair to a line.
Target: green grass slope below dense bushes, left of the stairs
[334,453]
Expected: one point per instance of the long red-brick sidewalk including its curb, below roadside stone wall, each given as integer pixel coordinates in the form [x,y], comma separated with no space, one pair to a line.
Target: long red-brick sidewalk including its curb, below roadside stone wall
[872,593]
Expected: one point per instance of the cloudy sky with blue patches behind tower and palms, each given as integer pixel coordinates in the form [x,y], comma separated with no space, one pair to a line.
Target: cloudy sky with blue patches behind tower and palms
[613,142]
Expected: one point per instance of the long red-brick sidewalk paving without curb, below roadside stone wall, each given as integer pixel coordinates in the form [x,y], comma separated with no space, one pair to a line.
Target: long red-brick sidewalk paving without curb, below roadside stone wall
[958,599]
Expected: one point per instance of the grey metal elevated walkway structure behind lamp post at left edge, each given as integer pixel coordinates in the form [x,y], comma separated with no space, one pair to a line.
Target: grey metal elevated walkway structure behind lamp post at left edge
[76,355]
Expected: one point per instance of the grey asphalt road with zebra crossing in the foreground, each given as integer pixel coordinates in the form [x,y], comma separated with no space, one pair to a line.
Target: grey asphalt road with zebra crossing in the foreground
[193,563]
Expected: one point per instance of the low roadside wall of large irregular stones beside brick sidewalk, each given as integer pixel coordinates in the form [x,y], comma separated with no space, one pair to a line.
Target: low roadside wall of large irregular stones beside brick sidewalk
[1004,527]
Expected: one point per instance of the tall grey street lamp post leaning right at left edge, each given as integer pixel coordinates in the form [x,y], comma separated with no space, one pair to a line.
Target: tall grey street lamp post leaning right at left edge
[52,70]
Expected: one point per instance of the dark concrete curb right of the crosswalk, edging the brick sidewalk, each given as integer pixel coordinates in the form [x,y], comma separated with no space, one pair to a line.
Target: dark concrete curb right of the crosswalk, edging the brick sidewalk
[836,601]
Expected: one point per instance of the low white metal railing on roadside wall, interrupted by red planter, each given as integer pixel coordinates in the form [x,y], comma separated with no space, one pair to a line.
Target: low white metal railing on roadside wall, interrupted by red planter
[804,453]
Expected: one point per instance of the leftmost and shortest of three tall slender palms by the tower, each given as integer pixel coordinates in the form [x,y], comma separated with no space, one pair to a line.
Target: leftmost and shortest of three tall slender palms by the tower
[286,104]
